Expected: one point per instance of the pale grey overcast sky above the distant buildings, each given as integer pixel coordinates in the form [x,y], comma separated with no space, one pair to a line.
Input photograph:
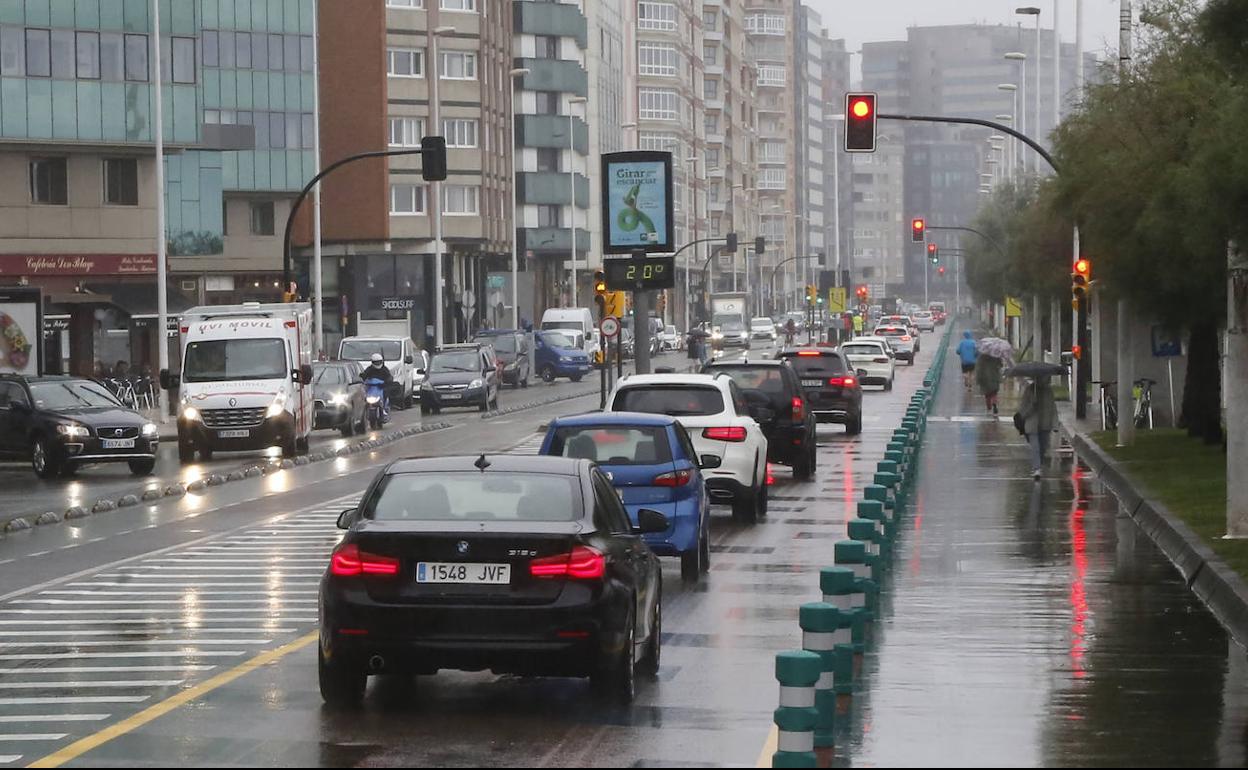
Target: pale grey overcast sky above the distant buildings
[870,21]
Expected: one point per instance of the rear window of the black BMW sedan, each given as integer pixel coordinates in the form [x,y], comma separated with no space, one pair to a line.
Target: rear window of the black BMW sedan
[476,497]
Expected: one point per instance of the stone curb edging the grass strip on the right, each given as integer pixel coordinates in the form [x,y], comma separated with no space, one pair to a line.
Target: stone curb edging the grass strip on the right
[1222,591]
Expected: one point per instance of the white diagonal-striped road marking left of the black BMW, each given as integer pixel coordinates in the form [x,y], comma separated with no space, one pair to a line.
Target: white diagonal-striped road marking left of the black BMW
[79,656]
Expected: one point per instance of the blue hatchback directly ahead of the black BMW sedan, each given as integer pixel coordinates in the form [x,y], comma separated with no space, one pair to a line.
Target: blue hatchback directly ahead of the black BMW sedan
[653,465]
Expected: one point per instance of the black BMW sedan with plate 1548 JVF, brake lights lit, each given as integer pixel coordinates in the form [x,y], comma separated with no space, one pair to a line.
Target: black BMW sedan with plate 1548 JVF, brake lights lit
[514,565]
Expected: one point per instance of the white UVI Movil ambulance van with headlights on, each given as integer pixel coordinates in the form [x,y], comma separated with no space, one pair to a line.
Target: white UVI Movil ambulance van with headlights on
[246,380]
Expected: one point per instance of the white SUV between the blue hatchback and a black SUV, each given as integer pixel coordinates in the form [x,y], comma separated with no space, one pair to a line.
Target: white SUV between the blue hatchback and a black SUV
[716,414]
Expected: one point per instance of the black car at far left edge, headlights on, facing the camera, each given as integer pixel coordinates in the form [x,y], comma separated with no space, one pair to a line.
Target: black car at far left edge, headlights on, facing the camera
[61,424]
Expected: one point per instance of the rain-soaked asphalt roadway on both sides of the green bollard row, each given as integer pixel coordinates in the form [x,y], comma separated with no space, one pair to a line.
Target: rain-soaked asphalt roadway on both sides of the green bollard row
[1026,625]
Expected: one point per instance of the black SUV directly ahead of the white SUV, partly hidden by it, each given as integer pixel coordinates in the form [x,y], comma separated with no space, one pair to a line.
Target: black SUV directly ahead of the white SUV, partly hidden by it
[787,421]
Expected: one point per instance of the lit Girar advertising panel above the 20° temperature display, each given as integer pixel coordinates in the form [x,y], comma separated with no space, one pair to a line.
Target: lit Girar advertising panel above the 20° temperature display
[637,192]
